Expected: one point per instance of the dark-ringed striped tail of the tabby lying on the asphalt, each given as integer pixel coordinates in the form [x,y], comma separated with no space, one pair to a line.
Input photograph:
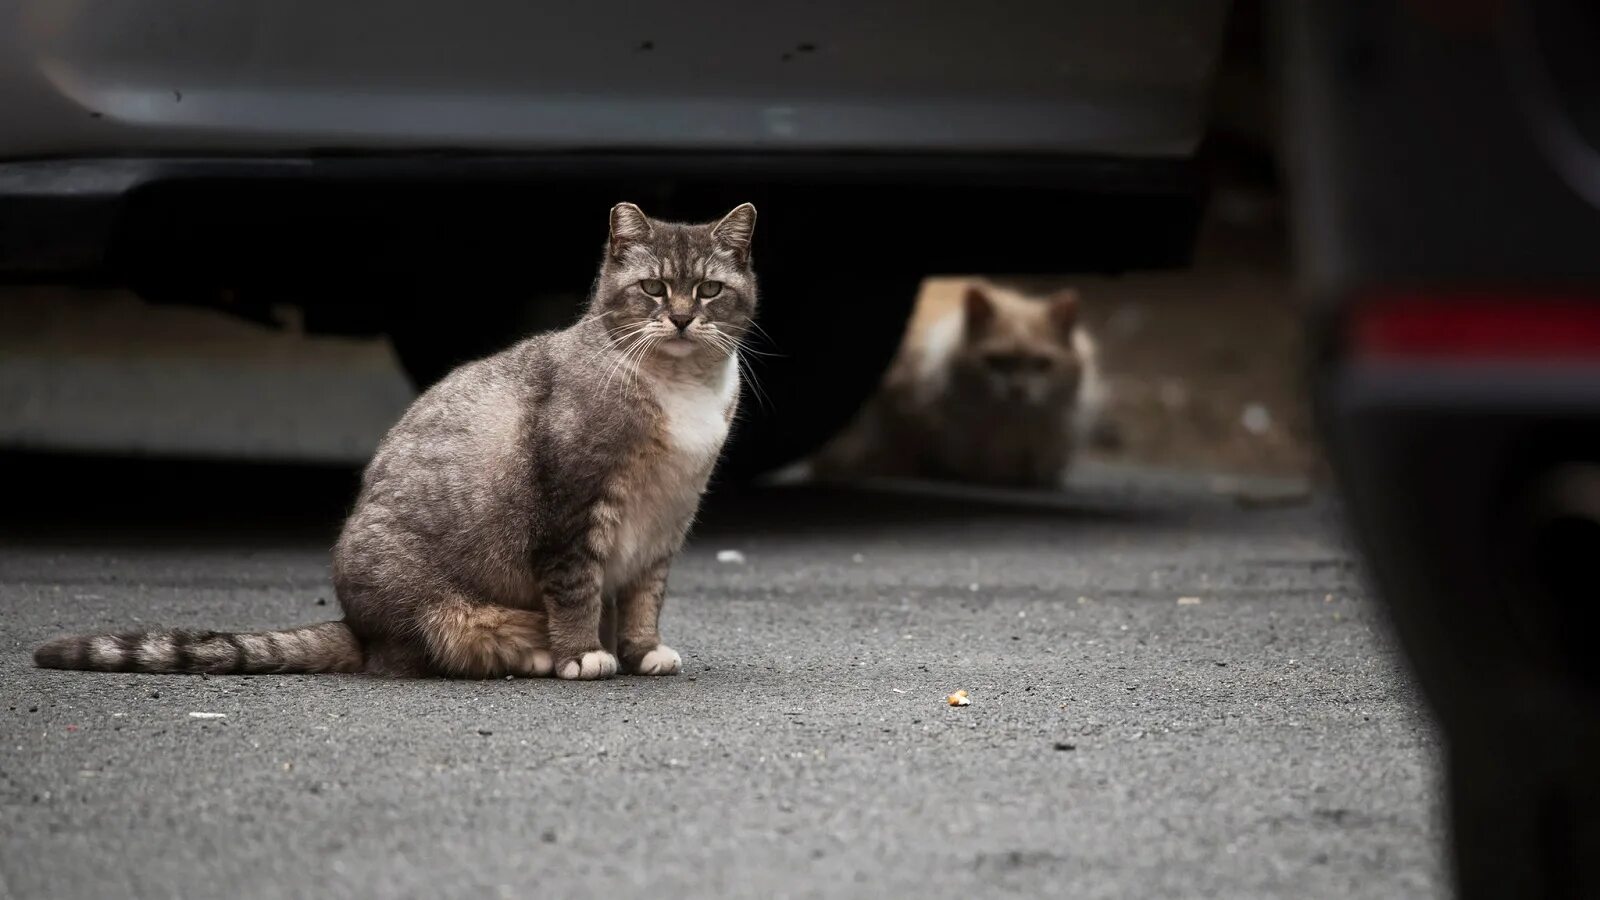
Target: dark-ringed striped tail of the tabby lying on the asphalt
[326,648]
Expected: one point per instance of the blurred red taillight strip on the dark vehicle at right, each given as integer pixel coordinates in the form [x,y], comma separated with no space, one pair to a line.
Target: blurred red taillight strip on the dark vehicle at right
[1476,327]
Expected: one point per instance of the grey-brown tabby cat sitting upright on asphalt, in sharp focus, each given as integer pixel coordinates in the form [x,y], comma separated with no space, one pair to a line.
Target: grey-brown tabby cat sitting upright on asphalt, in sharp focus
[522,516]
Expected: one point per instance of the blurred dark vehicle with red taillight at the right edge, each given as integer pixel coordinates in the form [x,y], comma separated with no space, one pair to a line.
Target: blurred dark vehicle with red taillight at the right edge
[1447,164]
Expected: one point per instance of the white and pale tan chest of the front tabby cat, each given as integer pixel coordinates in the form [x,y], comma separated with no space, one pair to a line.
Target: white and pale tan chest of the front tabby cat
[663,499]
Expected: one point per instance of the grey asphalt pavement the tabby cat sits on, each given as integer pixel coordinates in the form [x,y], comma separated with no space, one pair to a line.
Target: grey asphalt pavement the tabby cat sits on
[1172,696]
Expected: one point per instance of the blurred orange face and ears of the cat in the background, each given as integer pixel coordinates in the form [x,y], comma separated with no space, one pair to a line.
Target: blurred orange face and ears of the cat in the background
[1020,356]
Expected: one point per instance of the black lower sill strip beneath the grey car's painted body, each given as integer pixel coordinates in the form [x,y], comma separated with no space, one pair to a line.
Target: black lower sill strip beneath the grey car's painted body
[234,222]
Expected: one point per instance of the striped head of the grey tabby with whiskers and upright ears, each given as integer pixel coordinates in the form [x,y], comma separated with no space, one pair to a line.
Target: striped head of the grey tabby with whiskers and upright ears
[678,291]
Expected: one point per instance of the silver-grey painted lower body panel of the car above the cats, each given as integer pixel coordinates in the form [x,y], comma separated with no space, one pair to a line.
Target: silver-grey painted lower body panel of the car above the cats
[222,78]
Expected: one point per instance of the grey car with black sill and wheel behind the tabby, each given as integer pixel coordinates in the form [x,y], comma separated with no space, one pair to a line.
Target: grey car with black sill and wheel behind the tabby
[442,174]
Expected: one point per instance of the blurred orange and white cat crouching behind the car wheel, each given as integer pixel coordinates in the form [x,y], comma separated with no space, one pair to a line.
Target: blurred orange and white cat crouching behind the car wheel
[990,387]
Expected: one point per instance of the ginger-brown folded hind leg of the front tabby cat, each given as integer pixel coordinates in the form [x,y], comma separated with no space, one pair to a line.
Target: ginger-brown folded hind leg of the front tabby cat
[465,638]
